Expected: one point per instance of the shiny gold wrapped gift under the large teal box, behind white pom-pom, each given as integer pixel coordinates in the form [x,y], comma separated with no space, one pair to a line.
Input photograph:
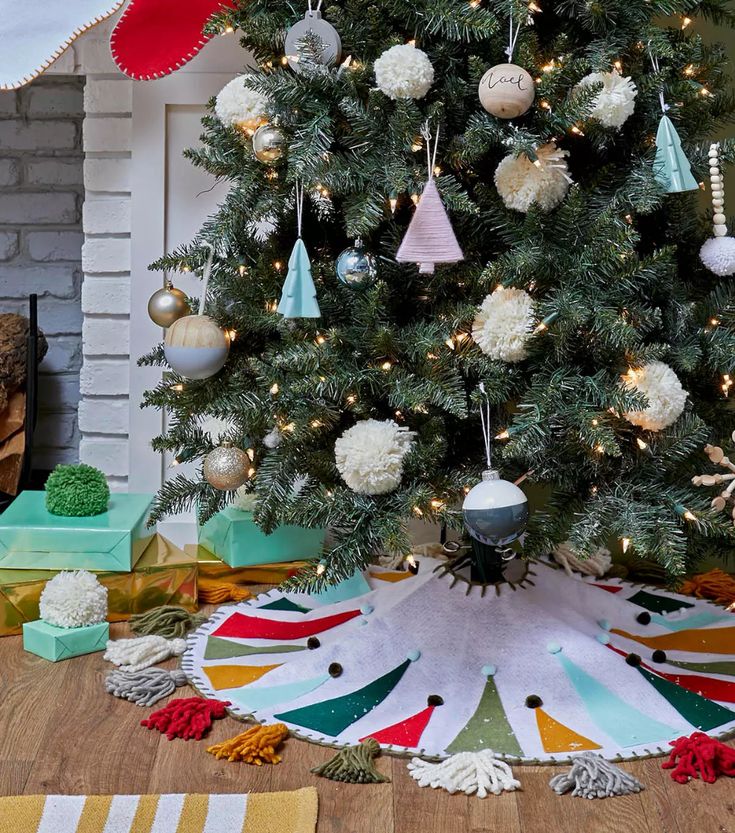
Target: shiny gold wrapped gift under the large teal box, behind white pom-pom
[164,574]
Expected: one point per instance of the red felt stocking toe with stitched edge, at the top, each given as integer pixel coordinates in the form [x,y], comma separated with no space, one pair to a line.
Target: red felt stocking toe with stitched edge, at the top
[154,38]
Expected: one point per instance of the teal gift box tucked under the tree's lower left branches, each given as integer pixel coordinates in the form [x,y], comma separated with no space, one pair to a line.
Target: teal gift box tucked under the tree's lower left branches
[233,536]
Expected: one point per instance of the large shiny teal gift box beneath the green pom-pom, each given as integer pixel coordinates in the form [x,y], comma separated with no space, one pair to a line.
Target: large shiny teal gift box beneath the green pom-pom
[31,538]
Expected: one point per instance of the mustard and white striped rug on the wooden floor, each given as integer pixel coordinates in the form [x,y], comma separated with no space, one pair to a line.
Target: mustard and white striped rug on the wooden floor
[281,812]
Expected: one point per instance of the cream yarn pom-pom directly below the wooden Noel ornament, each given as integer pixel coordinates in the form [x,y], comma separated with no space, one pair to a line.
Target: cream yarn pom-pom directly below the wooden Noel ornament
[521,182]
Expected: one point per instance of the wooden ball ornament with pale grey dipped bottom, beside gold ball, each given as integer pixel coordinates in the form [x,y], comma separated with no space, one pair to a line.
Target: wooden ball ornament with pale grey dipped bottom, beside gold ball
[196,347]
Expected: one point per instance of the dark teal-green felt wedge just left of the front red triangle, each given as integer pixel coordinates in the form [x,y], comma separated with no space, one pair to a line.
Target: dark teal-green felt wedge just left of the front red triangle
[331,717]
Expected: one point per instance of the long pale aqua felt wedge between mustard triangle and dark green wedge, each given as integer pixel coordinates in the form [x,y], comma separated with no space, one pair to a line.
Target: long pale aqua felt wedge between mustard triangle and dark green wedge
[623,723]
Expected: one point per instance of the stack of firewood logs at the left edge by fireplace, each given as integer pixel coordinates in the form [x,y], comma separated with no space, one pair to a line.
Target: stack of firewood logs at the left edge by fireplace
[13,348]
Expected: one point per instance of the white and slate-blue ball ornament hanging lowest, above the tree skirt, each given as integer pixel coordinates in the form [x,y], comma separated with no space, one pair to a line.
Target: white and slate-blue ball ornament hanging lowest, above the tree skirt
[495,511]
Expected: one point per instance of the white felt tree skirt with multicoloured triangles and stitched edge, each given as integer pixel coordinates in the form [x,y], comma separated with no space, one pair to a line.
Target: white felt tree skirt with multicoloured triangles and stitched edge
[559,665]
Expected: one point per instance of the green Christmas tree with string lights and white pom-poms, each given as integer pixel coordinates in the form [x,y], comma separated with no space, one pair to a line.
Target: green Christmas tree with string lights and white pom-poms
[604,344]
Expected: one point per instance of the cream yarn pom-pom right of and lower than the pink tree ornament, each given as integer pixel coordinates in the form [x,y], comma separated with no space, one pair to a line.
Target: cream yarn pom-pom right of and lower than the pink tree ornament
[503,324]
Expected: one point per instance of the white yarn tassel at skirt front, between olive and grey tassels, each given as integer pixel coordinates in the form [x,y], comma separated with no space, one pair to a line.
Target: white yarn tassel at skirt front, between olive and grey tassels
[466,772]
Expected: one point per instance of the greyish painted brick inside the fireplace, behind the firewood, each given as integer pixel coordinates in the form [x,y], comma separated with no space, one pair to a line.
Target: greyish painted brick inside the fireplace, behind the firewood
[41,175]
